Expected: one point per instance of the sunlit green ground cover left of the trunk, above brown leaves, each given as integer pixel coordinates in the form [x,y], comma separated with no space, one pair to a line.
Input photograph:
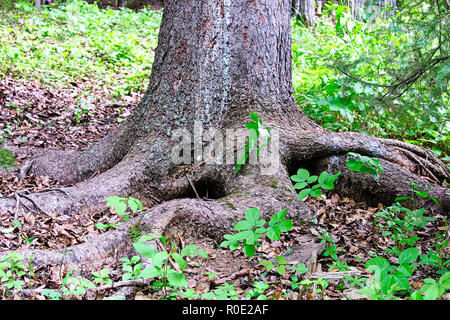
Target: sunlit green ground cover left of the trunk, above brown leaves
[77,42]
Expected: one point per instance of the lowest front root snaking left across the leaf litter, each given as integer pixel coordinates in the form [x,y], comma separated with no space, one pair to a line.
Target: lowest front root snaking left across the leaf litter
[211,218]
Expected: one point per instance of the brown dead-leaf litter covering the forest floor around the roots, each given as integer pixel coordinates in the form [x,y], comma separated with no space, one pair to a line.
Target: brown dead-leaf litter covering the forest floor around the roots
[48,118]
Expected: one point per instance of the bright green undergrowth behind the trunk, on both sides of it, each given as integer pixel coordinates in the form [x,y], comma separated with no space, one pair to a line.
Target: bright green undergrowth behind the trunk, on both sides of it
[75,42]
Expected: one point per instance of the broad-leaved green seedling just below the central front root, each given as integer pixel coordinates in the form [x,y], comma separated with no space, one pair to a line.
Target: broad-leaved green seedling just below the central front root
[251,230]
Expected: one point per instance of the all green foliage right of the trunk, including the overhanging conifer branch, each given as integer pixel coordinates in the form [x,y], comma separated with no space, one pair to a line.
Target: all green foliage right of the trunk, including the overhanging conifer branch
[330,59]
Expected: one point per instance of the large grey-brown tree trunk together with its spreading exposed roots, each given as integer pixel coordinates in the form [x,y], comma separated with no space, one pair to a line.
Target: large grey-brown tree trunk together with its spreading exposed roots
[215,62]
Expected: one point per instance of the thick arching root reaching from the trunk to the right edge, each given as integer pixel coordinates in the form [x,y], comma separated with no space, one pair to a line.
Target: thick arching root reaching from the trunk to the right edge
[402,164]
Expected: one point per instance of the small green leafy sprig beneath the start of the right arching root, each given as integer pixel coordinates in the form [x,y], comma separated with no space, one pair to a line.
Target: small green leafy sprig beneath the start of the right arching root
[304,182]
